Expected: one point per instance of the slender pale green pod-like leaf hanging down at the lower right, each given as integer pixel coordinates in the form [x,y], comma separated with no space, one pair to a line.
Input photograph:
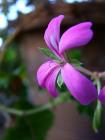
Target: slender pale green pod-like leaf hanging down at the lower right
[97,117]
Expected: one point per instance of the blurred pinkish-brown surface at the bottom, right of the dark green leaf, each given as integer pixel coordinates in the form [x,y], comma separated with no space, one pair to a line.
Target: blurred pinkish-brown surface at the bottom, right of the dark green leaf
[70,125]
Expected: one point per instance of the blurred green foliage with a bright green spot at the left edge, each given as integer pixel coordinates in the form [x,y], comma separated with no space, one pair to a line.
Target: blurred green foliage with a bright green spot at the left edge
[12,71]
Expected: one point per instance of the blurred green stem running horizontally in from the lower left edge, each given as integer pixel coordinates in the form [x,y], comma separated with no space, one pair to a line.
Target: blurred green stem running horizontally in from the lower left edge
[49,105]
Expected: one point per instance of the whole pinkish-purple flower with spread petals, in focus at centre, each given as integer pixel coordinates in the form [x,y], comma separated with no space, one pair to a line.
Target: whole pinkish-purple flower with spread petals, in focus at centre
[81,88]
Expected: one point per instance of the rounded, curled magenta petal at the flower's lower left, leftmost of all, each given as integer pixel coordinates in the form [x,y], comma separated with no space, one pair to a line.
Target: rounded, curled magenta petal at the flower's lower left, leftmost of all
[44,71]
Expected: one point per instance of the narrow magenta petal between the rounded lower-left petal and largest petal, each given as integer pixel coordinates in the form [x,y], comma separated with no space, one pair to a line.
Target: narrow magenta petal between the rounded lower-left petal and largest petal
[51,82]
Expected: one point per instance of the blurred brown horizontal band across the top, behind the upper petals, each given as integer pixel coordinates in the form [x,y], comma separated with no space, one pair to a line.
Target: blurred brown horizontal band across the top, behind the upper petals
[74,13]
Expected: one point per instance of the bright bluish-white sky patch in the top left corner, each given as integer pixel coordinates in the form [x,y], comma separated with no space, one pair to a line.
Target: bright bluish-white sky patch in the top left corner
[12,15]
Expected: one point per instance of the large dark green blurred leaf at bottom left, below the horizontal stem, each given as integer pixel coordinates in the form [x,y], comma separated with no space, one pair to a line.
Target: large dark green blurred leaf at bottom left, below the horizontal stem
[31,127]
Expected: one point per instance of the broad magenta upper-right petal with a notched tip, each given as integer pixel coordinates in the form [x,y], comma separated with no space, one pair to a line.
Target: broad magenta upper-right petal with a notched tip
[76,36]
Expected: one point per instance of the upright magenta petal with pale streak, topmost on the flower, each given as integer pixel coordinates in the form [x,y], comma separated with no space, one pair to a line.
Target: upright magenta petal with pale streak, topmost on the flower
[52,34]
